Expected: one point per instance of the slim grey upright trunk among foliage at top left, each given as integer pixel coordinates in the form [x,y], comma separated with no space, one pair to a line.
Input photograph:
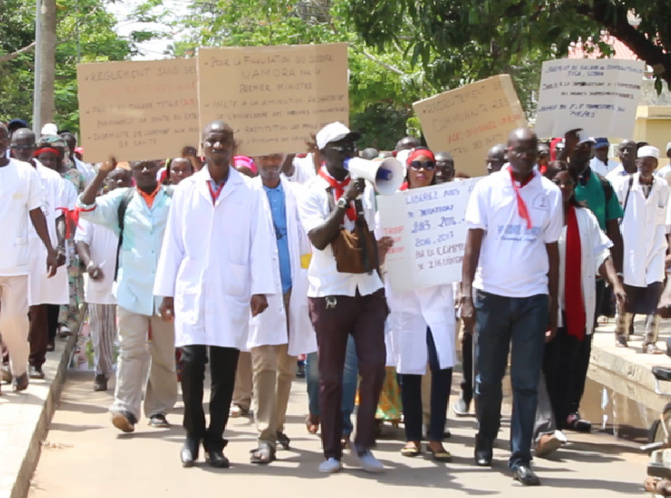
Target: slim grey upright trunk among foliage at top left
[46,65]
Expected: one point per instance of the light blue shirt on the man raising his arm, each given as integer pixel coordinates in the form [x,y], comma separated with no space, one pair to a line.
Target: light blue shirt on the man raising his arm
[142,238]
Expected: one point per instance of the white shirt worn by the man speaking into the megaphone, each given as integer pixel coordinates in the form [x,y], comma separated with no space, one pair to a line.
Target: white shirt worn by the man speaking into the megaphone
[323,276]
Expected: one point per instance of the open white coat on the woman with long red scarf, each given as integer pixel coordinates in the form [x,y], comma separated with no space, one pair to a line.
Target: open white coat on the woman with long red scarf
[594,250]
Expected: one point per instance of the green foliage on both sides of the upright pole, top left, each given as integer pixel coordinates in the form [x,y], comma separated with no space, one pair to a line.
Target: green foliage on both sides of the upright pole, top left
[86,34]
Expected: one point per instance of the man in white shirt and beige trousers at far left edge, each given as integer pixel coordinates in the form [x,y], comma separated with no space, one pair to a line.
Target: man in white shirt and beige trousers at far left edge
[20,201]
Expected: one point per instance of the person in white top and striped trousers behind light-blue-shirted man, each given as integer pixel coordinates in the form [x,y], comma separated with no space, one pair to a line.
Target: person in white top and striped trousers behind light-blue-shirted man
[97,247]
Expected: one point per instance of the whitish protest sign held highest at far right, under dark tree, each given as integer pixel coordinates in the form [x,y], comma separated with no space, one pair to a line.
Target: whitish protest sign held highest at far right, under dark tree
[599,96]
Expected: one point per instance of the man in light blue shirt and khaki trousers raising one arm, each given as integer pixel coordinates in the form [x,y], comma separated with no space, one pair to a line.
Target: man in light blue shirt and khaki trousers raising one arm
[138,216]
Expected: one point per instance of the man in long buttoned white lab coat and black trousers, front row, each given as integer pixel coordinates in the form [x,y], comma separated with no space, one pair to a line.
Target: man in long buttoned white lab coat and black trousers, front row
[216,262]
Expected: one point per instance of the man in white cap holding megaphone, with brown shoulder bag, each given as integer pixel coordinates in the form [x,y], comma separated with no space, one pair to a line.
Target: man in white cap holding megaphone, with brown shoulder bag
[346,294]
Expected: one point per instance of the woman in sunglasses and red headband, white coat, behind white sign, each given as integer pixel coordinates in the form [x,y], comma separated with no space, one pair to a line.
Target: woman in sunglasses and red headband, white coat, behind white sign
[423,325]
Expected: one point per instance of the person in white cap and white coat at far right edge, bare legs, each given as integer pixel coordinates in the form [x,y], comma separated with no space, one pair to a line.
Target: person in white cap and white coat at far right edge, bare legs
[644,198]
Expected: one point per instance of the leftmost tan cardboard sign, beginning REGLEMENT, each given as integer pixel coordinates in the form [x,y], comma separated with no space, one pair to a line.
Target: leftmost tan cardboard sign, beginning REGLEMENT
[138,110]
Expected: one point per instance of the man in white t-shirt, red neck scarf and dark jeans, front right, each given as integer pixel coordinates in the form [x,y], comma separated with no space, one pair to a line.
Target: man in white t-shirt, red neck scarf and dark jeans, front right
[515,220]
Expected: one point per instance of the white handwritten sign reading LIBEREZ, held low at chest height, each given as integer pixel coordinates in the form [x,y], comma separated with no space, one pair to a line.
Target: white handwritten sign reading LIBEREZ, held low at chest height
[429,234]
